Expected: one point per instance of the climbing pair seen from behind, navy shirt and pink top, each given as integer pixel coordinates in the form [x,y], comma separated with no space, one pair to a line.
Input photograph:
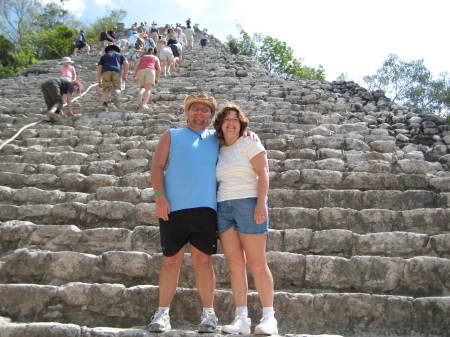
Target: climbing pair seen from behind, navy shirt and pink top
[109,75]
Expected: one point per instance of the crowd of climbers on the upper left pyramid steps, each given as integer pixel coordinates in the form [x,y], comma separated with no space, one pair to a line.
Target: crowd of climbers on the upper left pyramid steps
[145,50]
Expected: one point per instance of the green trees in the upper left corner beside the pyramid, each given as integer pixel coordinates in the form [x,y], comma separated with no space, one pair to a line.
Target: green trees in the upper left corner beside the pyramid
[31,31]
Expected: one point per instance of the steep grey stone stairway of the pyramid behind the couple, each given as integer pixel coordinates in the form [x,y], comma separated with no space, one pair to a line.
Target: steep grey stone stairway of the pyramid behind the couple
[359,207]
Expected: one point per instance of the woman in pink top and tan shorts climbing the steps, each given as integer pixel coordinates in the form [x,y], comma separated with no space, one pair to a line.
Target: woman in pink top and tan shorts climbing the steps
[145,73]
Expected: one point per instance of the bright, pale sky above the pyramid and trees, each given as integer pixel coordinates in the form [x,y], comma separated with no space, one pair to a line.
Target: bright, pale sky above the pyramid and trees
[351,37]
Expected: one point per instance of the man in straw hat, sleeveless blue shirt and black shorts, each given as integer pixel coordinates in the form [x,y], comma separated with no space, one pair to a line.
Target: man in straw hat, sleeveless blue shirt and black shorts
[186,206]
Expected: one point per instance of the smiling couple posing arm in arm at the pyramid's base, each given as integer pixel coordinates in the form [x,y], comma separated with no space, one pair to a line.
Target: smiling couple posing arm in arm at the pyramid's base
[190,211]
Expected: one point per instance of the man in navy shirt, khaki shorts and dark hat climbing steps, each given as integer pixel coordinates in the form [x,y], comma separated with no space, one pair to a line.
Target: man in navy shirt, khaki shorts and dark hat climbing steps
[109,73]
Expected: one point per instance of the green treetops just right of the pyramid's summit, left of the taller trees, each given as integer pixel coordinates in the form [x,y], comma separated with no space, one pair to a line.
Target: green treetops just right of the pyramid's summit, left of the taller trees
[275,55]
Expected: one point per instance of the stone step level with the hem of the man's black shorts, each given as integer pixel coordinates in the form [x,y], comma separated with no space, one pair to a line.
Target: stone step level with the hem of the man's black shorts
[333,242]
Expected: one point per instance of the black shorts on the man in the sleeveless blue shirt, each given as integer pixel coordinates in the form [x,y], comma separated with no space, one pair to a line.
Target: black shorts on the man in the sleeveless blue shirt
[198,226]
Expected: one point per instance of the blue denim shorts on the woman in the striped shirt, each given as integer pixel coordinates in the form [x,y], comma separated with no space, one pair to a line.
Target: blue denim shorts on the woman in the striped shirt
[239,213]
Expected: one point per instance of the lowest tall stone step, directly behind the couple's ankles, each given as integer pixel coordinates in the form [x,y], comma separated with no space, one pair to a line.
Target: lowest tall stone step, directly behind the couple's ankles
[114,305]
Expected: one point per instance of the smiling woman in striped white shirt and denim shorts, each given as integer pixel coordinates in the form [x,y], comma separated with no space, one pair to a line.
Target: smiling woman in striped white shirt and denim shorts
[243,175]
